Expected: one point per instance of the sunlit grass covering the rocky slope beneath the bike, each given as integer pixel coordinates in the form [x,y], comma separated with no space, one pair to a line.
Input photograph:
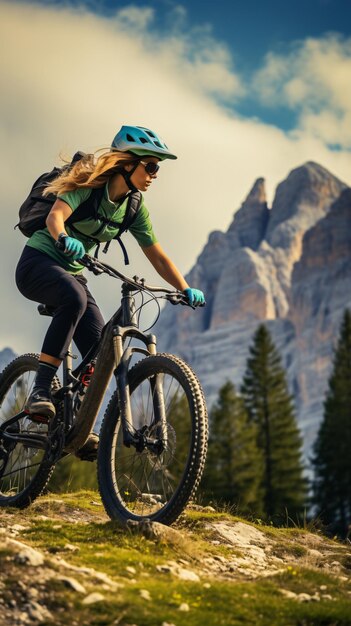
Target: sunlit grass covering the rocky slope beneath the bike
[229,599]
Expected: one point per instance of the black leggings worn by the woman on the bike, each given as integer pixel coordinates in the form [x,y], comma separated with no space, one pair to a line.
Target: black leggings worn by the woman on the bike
[76,314]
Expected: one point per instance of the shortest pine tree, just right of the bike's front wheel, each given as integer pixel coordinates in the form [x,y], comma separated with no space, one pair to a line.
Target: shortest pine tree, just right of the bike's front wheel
[234,464]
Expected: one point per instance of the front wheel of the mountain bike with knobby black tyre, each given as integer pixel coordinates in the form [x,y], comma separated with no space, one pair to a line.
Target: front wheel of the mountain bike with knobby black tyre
[155,479]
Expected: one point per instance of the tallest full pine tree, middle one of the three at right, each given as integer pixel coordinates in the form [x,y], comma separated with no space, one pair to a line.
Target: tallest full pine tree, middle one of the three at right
[270,407]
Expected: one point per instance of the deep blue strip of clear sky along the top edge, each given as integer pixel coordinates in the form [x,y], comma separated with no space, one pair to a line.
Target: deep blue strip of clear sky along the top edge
[249,27]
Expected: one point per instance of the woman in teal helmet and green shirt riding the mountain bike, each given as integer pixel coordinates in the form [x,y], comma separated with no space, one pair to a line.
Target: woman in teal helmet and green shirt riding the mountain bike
[47,274]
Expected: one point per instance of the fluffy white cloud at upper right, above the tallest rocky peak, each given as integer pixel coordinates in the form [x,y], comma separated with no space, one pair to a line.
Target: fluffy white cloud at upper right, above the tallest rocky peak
[315,80]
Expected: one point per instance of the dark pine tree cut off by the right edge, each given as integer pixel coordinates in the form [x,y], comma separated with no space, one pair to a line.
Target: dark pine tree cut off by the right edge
[332,450]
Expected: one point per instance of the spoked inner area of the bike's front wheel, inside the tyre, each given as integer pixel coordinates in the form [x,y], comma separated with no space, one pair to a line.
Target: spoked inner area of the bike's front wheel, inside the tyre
[149,473]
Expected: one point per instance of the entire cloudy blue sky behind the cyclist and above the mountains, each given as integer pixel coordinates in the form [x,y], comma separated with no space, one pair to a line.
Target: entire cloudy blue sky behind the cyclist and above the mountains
[239,90]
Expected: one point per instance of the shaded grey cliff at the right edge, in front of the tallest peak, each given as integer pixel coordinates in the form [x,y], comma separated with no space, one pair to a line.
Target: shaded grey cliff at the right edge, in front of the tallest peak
[320,292]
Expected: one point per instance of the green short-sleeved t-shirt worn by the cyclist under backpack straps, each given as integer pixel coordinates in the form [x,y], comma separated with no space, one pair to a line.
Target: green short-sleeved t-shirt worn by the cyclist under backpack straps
[141,228]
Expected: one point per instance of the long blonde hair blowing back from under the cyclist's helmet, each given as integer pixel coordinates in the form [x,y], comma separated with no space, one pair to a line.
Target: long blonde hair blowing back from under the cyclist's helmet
[90,171]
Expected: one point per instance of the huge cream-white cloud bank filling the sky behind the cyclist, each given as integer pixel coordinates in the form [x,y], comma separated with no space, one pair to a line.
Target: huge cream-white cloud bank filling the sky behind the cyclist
[73,78]
